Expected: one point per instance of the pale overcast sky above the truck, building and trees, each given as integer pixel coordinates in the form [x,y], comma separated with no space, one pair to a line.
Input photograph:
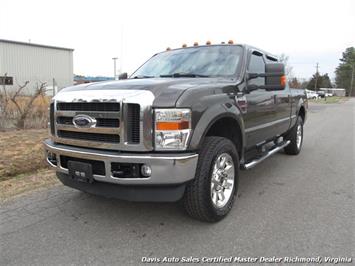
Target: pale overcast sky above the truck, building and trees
[305,30]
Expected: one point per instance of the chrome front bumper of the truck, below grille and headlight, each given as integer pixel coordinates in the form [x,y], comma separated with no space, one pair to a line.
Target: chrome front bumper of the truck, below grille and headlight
[167,169]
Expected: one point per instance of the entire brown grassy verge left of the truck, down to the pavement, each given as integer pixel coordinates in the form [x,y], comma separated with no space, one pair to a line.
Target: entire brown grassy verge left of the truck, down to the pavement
[22,166]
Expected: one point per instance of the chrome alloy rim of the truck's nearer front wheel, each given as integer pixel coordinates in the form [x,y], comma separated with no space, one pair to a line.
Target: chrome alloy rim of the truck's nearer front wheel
[222,180]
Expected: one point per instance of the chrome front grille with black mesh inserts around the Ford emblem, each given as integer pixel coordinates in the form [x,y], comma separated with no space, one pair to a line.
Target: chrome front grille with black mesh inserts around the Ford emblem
[118,124]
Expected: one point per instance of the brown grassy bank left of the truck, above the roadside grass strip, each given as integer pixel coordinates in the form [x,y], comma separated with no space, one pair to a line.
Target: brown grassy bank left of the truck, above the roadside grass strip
[21,152]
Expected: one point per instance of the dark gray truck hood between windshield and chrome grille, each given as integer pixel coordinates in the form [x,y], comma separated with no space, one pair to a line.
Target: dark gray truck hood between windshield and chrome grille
[165,90]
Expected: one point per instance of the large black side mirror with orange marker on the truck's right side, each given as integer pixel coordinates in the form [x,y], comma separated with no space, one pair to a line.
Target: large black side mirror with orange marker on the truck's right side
[274,75]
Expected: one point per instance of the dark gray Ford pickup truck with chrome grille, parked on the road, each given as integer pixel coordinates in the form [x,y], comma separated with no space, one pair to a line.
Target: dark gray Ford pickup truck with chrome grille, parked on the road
[180,127]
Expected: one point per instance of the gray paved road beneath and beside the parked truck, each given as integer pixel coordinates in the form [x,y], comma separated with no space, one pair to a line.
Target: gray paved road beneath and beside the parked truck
[287,206]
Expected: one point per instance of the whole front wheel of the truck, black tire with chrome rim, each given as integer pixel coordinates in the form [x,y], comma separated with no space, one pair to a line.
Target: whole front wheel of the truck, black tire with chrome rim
[210,196]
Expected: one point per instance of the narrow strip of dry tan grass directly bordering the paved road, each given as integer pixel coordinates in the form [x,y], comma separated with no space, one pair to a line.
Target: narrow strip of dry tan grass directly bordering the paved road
[25,183]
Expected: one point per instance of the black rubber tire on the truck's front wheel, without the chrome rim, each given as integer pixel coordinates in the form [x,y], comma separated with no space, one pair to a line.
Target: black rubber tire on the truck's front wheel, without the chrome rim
[198,194]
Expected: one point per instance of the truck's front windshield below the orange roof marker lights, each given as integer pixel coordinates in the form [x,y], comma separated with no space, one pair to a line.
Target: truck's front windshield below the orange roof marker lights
[204,61]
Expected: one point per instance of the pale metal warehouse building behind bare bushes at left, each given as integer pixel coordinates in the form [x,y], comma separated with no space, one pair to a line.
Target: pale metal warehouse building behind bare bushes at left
[36,63]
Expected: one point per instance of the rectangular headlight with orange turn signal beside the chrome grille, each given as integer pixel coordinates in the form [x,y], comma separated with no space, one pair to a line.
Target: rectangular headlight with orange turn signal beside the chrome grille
[172,129]
